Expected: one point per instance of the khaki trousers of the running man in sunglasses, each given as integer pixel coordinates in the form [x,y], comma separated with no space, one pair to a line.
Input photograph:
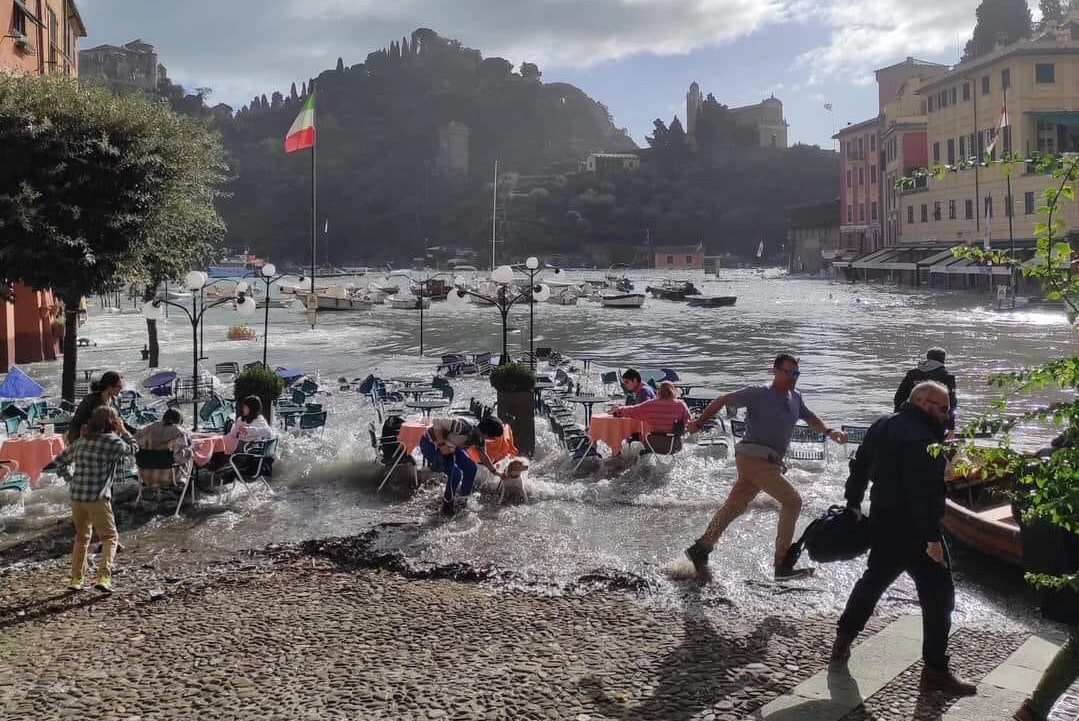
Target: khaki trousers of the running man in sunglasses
[757,475]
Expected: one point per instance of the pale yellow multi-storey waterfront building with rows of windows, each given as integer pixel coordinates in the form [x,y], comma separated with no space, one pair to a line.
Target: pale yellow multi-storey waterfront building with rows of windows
[964,110]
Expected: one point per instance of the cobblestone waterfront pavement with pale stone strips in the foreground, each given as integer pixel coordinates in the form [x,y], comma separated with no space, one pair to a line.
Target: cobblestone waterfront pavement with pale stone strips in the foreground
[299,634]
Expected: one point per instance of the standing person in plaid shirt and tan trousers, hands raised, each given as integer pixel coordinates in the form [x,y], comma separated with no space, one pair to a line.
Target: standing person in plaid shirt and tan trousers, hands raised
[98,459]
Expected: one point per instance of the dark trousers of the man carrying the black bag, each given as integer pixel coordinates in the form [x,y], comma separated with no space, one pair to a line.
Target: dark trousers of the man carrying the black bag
[890,556]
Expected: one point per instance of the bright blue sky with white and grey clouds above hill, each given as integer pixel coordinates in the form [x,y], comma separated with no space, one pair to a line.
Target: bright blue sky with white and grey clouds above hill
[636,57]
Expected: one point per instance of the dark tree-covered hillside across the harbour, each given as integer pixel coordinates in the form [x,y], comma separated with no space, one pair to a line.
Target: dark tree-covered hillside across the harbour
[386,200]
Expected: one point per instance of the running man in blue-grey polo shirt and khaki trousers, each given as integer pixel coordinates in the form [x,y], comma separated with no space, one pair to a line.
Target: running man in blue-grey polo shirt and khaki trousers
[772,412]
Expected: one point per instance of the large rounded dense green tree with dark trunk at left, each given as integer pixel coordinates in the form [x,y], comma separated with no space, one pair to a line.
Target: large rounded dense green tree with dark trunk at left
[101,187]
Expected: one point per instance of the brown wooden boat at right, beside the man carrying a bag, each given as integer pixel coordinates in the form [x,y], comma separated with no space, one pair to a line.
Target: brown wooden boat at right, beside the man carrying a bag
[979,516]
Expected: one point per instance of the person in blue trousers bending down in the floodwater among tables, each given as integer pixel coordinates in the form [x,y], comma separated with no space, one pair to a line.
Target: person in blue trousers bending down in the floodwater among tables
[445,447]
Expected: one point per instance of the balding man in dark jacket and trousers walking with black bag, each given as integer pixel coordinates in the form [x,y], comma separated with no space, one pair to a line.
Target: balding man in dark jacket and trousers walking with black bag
[907,508]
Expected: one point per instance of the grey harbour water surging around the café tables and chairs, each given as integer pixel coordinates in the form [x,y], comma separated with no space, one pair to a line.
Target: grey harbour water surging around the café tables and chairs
[855,344]
